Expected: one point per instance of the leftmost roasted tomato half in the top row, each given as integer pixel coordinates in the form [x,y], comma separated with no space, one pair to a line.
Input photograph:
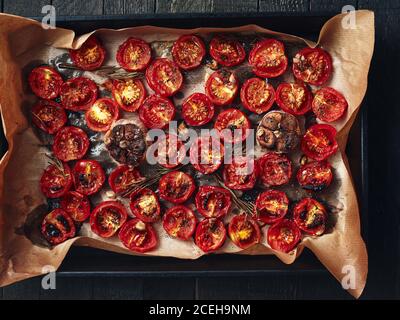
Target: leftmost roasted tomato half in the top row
[90,56]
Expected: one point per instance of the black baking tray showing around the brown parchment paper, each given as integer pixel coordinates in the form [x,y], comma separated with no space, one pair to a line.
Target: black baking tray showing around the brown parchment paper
[83,261]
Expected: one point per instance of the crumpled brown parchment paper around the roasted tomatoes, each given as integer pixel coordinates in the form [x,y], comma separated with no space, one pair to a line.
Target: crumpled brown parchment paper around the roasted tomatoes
[23,40]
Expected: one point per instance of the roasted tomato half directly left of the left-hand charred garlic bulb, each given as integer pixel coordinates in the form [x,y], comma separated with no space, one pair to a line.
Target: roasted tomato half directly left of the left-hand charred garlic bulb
[70,143]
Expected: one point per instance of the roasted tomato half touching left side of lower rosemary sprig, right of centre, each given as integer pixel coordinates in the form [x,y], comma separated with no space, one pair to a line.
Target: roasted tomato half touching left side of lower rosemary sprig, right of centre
[213,202]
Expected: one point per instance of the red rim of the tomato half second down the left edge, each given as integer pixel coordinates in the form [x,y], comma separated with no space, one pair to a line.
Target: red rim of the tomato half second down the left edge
[54,124]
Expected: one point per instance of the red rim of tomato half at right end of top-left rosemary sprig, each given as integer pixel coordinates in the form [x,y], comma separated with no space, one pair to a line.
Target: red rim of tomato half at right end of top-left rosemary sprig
[154,83]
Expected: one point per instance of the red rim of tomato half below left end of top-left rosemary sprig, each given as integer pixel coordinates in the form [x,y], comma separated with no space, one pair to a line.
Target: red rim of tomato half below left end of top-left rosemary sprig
[77,83]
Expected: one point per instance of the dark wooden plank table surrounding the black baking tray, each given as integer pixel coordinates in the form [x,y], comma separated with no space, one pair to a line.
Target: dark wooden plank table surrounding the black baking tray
[383,154]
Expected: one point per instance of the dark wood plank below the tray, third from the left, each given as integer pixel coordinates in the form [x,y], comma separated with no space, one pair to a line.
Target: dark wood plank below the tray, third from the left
[116,288]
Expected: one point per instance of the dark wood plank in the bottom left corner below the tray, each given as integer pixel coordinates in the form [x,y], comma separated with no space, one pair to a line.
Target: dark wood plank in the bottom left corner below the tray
[24,290]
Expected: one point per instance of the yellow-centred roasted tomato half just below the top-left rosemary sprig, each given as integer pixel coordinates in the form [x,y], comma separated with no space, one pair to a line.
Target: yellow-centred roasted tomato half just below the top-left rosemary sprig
[129,94]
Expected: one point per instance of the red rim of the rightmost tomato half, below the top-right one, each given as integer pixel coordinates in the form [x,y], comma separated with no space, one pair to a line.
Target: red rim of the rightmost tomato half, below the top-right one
[324,114]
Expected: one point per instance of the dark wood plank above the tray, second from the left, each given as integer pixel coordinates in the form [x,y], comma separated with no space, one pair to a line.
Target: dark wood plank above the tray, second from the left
[78,7]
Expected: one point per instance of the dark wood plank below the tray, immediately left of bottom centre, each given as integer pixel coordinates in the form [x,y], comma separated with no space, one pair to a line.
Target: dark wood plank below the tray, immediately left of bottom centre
[169,288]
